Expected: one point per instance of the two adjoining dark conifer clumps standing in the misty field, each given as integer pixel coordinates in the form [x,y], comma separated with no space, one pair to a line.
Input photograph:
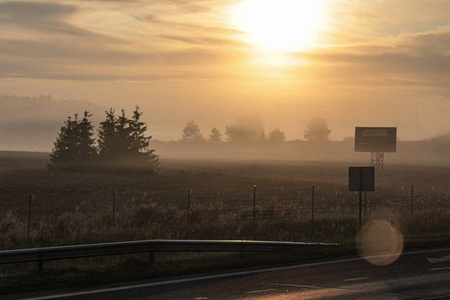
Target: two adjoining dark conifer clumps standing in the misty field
[122,143]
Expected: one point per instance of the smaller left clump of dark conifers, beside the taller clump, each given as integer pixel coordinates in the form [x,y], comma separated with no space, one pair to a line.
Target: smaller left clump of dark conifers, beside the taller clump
[74,143]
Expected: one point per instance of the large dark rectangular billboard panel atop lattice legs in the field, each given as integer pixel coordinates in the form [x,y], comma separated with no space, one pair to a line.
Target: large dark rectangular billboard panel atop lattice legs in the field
[375,139]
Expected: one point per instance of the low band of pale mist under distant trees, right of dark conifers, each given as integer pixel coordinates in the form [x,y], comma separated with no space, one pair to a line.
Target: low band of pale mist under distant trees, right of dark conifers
[408,153]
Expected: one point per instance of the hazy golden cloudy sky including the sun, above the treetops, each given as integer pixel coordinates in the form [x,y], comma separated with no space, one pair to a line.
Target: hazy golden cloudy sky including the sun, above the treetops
[351,62]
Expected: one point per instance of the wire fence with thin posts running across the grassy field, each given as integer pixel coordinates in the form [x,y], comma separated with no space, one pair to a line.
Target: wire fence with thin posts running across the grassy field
[209,205]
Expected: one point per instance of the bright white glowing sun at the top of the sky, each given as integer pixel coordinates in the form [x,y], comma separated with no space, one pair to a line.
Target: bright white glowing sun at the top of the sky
[280,25]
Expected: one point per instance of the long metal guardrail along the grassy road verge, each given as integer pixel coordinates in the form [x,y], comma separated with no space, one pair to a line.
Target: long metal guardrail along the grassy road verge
[105,249]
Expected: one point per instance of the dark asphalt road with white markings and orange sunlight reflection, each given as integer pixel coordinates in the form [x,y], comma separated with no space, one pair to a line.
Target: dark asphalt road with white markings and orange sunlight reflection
[415,275]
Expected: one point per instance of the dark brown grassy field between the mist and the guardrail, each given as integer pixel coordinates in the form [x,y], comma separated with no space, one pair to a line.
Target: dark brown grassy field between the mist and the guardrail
[258,200]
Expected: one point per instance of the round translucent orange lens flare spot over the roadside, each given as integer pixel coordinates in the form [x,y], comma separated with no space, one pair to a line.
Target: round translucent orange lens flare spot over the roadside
[379,243]
